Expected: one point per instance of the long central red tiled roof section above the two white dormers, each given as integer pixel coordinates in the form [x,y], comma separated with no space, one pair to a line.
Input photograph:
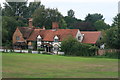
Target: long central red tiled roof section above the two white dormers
[48,35]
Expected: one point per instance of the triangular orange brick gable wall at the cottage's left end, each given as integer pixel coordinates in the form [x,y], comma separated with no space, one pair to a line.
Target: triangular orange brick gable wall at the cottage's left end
[18,33]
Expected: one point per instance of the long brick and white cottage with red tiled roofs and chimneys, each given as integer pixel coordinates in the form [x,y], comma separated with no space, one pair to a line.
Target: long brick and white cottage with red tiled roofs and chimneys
[50,40]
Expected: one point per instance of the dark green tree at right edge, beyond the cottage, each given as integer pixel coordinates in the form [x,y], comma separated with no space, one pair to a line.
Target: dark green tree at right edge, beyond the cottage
[112,37]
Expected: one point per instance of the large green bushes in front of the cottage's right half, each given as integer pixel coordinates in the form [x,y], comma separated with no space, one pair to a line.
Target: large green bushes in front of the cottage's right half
[72,47]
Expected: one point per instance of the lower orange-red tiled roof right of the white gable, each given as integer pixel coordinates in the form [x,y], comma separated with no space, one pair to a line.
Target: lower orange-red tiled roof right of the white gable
[90,36]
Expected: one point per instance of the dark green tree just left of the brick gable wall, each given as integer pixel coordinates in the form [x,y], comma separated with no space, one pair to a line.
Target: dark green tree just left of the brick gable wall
[8,27]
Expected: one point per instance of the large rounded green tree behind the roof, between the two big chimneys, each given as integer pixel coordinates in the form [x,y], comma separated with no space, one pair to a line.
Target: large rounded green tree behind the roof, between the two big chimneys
[44,17]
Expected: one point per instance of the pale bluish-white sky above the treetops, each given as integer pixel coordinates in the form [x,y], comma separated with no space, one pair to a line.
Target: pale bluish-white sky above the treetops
[108,8]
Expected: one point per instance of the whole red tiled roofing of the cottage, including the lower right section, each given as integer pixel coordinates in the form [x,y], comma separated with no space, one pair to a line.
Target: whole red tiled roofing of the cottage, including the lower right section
[31,34]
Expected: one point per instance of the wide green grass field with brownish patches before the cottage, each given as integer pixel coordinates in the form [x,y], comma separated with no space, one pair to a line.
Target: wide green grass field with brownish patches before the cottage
[17,65]
